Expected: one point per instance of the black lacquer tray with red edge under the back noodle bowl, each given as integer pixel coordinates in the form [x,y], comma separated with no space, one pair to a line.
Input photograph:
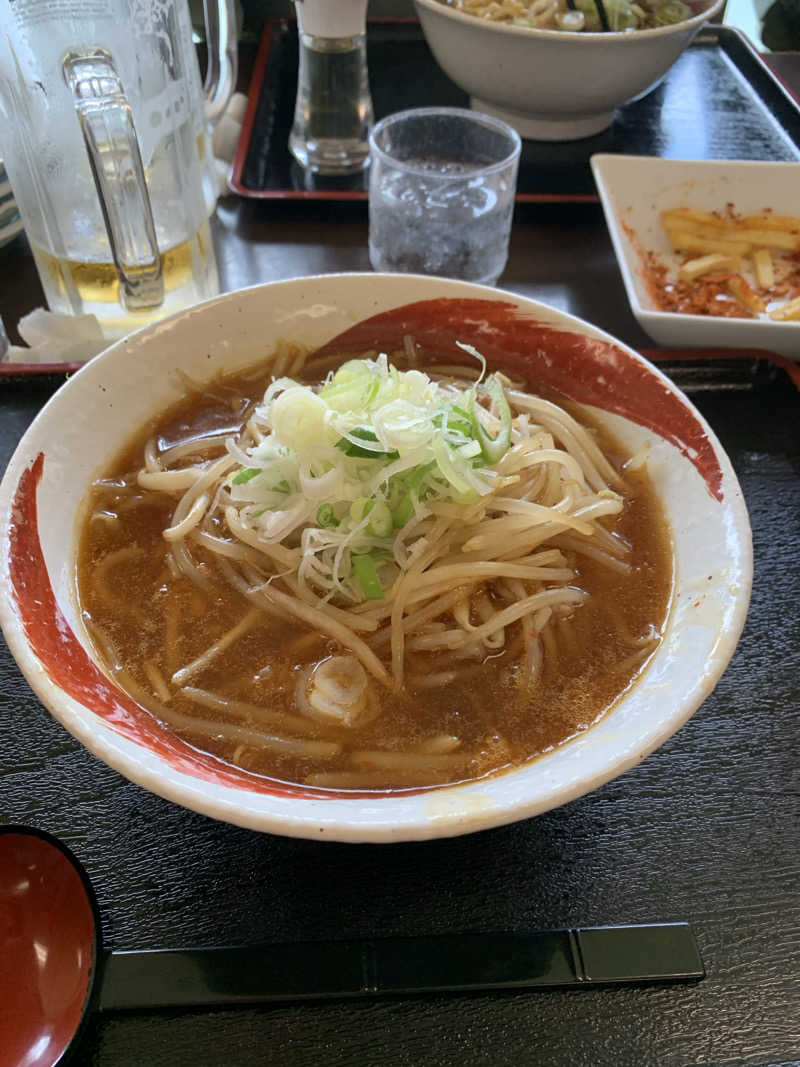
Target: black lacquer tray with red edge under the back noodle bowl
[718,102]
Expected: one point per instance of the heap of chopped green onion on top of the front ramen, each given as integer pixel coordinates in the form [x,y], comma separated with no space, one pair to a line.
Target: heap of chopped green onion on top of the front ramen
[357,458]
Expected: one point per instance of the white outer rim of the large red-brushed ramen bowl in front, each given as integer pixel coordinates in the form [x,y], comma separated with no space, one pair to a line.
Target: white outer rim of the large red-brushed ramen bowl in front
[399,820]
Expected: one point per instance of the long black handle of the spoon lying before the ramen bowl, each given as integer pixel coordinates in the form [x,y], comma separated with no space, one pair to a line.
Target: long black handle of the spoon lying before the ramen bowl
[583,958]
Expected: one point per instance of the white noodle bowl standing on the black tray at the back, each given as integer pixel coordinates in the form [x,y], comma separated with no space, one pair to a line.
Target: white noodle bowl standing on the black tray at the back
[554,85]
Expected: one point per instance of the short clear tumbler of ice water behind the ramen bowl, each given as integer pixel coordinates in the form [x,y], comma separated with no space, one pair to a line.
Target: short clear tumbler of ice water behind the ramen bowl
[442,187]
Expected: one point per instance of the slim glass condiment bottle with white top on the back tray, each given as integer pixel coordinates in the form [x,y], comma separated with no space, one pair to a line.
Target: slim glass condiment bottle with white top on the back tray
[333,114]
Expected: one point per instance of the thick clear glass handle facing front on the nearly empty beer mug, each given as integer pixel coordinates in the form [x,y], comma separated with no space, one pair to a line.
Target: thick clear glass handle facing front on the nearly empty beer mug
[107,125]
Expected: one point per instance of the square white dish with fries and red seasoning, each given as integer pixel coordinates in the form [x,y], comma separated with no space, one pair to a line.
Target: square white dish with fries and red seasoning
[721,236]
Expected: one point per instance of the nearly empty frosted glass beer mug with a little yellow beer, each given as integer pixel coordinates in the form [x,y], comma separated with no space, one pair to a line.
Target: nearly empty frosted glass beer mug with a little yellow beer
[105,134]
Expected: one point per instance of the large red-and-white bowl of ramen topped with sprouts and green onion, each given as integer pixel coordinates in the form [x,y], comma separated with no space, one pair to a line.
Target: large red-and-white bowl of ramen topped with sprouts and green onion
[268,681]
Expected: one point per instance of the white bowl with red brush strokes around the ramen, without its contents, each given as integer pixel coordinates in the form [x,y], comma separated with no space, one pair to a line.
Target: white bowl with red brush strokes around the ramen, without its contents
[101,409]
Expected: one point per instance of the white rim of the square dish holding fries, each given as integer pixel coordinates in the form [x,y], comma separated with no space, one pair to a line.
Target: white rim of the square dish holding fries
[626,257]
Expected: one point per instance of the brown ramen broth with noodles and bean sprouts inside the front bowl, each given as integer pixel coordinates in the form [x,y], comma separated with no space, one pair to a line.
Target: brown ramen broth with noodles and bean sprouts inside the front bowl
[219,642]
